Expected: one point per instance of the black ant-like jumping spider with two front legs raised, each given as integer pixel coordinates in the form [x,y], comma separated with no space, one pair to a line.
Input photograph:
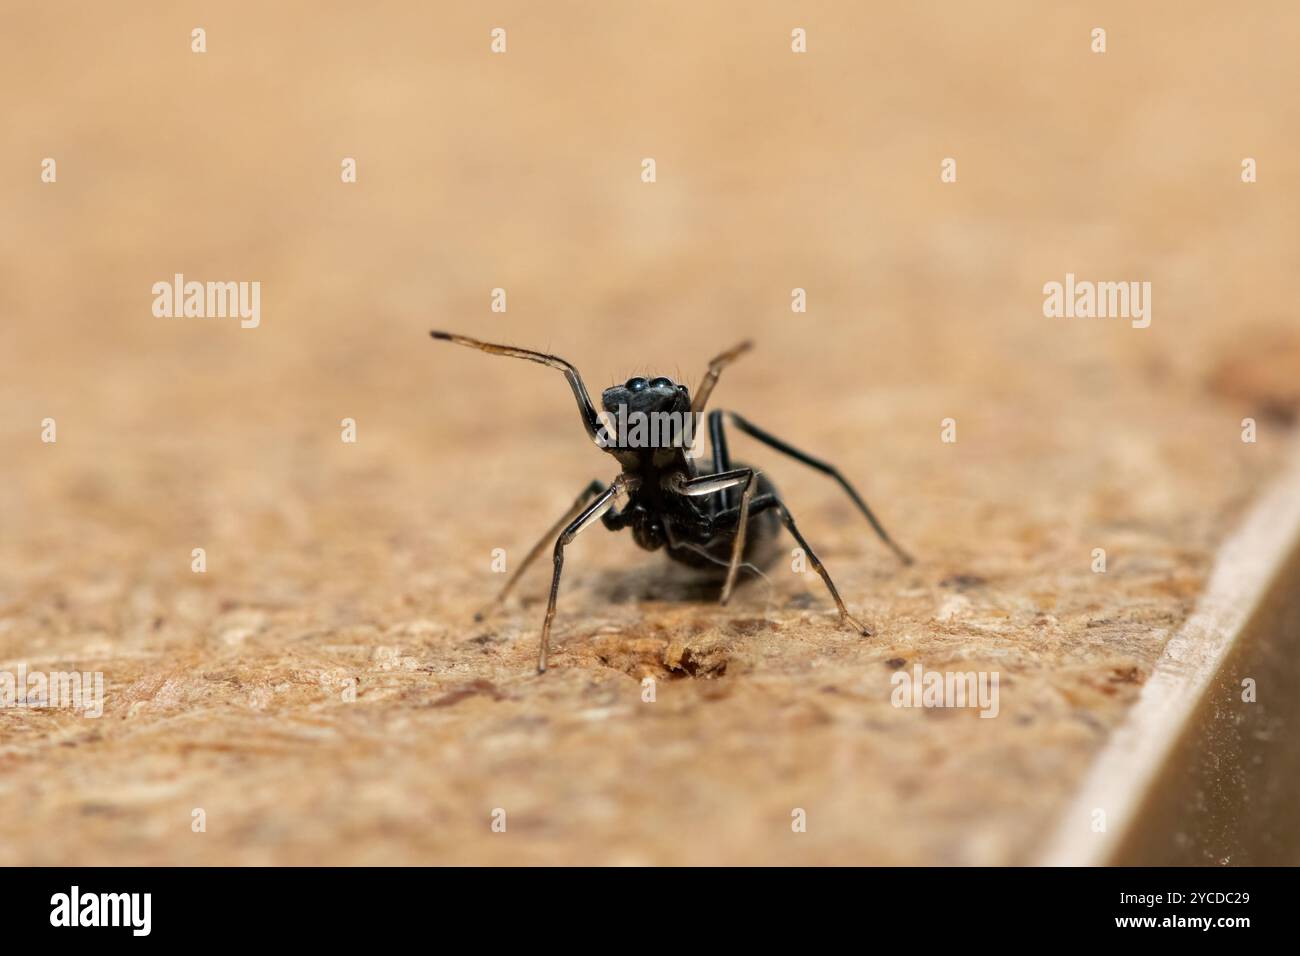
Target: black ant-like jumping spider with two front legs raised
[709,518]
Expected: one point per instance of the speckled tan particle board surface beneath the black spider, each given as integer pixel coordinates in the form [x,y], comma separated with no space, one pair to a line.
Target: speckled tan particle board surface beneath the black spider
[331,563]
